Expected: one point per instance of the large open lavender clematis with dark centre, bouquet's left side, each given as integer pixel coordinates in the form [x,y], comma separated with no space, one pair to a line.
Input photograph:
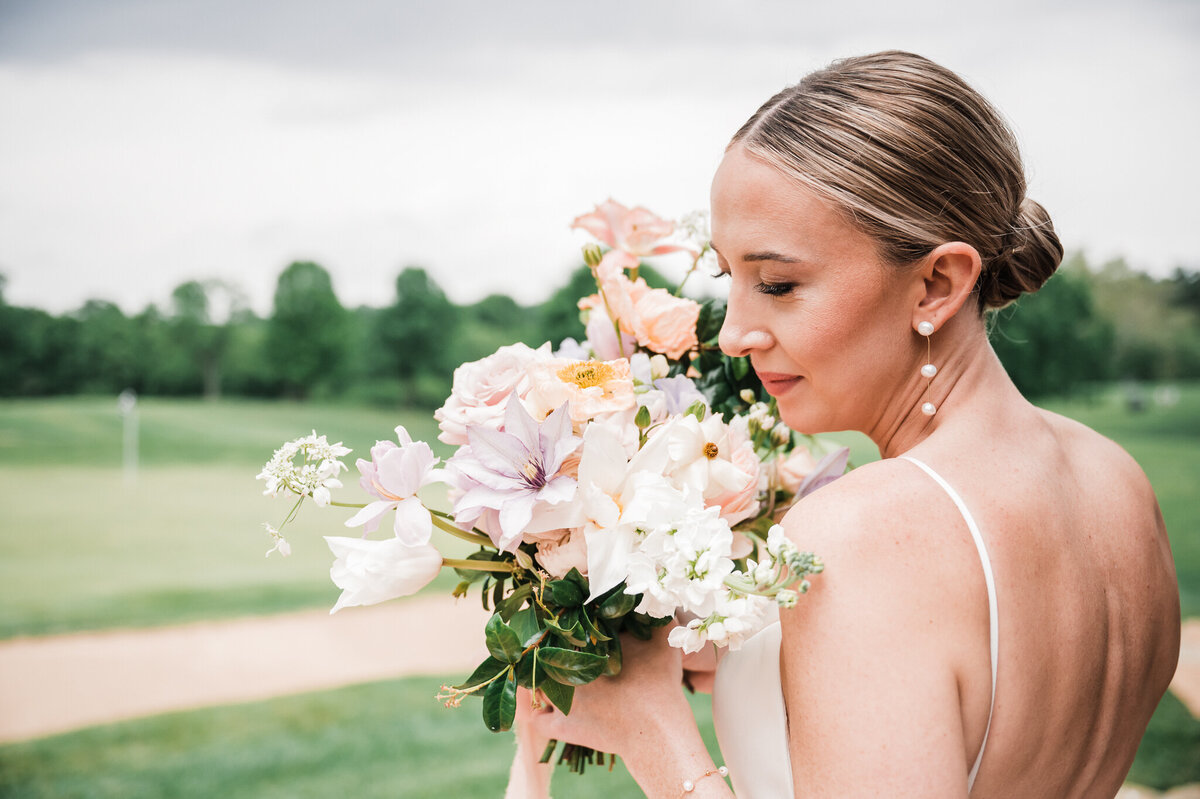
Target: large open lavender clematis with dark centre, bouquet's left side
[514,472]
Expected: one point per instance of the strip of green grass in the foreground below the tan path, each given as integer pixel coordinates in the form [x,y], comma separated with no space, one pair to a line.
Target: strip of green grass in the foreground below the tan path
[381,741]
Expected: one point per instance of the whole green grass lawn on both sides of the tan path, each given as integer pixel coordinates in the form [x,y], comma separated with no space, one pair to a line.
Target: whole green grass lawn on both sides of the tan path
[82,550]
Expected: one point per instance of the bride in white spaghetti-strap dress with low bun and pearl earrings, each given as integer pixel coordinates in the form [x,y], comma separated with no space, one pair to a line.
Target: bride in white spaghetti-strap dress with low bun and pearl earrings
[999,615]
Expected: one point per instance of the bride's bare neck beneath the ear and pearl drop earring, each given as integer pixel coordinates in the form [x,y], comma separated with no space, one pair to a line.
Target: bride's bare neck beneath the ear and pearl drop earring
[969,375]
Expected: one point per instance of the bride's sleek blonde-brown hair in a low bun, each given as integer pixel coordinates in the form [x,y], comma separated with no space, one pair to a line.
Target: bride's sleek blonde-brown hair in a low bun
[915,158]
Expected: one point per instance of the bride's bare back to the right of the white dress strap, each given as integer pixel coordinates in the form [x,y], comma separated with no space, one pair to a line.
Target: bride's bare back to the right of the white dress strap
[1089,610]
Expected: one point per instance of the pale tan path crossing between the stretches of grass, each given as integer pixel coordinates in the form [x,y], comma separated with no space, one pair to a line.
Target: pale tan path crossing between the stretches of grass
[59,683]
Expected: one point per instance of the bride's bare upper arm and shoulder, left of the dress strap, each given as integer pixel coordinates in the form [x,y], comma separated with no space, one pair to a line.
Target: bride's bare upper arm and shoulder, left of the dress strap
[869,656]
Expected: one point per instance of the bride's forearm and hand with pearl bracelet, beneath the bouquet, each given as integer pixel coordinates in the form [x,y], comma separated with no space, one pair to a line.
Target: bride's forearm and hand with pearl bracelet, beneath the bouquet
[644,717]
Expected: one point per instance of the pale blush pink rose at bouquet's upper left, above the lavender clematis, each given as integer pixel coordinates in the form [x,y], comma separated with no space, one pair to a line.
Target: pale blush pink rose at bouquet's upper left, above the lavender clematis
[482,389]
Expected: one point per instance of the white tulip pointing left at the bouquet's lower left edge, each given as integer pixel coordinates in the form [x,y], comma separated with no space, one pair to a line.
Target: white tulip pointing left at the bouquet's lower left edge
[371,572]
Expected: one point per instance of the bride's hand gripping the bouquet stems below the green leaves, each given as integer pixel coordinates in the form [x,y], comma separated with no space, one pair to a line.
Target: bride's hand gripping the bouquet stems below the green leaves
[628,712]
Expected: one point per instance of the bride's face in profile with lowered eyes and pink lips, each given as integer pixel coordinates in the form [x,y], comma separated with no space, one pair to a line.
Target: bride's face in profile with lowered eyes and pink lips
[827,326]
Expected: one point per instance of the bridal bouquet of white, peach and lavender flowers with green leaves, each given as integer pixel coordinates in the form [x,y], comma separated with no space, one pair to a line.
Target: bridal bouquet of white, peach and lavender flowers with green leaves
[610,485]
